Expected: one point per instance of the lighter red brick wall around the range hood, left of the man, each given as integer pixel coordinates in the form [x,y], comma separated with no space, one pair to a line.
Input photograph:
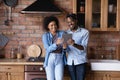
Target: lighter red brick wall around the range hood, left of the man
[26,29]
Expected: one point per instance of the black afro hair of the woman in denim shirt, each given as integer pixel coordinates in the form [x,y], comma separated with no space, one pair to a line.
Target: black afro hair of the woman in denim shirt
[49,19]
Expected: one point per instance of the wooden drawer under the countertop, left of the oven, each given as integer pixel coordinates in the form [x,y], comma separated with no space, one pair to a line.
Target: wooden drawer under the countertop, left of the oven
[11,68]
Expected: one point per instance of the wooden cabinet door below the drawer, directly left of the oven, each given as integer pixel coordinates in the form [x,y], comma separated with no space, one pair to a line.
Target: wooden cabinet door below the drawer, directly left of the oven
[16,76]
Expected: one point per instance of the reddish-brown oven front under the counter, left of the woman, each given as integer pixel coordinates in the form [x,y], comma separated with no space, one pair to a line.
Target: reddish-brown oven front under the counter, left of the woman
[35,72]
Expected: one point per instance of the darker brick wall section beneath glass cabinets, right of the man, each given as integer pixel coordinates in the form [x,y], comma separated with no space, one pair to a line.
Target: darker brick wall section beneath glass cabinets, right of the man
[103,44]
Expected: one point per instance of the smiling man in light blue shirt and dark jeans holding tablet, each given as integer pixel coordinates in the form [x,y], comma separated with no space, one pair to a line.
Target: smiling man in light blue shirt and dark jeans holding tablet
[77,48]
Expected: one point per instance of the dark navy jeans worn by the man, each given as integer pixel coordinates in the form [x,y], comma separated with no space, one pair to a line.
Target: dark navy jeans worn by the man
[77,72]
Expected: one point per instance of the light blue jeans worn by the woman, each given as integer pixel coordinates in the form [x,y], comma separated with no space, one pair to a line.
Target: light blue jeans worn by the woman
[55,68]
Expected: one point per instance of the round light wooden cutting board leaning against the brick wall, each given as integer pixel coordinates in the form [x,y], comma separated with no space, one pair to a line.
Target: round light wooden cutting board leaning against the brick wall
[34,51]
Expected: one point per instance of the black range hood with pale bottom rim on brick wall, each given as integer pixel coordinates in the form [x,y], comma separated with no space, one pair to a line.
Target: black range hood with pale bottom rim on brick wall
[42,7]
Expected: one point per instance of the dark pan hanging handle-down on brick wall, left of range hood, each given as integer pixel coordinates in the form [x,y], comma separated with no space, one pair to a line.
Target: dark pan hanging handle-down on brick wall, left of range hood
[10,4]
